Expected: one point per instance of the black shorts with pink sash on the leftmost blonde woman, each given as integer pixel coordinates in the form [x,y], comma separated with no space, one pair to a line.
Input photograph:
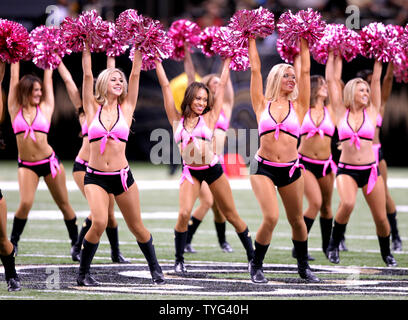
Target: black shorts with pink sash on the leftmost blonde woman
[110,183]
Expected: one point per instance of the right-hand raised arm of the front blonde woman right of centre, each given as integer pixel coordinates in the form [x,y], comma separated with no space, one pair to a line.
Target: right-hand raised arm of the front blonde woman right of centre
[303,99]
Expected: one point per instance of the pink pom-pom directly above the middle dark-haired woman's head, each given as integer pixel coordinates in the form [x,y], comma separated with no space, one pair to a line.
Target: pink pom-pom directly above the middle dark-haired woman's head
[183,31]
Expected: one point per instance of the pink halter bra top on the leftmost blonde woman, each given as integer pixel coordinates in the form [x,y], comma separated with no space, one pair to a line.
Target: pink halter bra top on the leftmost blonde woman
[118,132]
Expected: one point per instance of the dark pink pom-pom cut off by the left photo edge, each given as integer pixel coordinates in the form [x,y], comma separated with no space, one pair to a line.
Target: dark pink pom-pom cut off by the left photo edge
[14,42]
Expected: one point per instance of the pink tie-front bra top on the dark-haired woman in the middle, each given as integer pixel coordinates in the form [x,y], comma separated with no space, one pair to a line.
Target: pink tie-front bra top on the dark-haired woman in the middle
[200,131]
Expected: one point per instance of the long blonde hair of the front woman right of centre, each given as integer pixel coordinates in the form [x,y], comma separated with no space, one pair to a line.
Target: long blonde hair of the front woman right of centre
[274,80]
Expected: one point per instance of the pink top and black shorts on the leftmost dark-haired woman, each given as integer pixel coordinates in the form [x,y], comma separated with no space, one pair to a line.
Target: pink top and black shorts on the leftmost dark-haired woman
[40,124]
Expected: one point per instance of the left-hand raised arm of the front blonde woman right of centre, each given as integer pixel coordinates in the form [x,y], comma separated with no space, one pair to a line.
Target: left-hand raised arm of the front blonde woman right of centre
[256,87]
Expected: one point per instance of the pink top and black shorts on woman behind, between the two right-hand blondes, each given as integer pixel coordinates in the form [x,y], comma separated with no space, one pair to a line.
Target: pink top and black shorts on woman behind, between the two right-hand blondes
[319,167]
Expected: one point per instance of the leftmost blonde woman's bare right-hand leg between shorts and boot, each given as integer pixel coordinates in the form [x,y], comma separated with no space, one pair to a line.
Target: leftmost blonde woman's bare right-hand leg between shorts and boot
[129,204]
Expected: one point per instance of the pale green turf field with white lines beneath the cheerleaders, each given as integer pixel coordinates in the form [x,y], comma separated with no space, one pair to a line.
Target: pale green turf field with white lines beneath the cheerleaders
[46,241]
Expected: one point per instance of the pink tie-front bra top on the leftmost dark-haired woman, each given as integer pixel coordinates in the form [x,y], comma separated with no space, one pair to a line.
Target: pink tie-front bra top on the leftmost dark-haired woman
[39,124]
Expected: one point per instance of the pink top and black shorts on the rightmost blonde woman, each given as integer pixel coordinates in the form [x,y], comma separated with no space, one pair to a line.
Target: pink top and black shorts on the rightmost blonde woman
[362,174]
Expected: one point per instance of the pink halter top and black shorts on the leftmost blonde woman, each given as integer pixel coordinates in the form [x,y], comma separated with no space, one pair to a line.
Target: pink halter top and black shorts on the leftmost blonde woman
[115,182]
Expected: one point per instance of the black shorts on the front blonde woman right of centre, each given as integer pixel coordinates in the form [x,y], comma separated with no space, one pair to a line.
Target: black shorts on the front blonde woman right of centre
[278,175]
